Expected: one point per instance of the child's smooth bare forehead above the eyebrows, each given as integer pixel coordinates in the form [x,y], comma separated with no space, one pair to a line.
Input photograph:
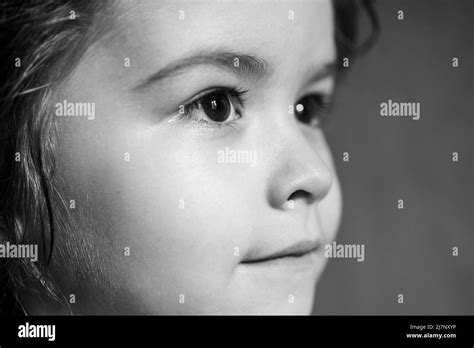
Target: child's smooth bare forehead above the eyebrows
[296,32]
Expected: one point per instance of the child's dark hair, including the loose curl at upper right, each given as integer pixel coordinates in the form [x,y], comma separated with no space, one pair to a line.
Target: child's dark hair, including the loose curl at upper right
[42,41]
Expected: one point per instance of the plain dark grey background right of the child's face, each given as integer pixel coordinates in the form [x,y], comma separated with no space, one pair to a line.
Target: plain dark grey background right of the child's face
[407,251]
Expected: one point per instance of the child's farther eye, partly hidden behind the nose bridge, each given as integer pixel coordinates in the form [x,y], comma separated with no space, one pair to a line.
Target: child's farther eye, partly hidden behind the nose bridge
[313,109]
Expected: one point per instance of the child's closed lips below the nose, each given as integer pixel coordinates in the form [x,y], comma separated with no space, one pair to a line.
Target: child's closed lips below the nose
[301,251]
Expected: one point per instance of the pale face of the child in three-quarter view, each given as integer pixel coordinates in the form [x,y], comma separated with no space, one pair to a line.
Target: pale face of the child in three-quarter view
[165,185]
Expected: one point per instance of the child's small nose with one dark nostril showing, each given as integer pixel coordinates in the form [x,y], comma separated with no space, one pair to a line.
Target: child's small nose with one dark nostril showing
[300,176]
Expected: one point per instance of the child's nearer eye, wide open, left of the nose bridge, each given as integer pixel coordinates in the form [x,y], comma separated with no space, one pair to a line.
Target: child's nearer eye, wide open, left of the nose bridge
[218,106]
